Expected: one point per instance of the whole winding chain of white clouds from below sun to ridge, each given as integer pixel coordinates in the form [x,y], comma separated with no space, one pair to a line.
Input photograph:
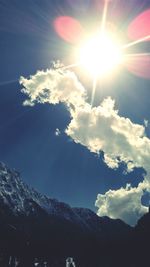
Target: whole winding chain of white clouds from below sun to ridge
[98,128]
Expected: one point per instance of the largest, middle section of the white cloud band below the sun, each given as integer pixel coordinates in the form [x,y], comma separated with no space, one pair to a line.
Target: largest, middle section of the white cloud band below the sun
[102,129]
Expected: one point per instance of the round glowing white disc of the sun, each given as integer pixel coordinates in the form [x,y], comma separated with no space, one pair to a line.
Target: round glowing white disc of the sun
[100,54]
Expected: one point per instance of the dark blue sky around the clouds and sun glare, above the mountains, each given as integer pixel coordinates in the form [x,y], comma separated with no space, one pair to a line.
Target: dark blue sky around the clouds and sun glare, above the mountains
[55,165]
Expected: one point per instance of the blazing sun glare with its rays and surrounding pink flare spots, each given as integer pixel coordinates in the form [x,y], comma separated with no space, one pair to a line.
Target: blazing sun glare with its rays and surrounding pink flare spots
[102,54]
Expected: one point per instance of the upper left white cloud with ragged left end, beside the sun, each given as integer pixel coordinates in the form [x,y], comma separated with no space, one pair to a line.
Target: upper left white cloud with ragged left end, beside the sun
[53,86]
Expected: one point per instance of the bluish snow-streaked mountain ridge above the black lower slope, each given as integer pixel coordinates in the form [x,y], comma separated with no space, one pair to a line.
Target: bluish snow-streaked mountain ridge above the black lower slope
[14,191]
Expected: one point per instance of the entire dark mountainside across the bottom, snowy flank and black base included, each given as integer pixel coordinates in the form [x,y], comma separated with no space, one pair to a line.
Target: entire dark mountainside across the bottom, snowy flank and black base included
[33,225]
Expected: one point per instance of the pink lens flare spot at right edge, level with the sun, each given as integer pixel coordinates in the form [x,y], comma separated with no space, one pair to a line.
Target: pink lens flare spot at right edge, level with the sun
[139,65]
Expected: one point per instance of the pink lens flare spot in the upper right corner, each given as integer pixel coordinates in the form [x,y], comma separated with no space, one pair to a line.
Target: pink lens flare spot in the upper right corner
[140,26]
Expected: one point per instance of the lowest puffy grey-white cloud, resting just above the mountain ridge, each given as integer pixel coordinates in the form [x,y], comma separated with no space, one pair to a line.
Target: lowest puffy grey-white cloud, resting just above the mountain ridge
[124,203]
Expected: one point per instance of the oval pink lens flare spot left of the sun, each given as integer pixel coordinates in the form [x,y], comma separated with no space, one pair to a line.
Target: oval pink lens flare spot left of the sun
[69,29]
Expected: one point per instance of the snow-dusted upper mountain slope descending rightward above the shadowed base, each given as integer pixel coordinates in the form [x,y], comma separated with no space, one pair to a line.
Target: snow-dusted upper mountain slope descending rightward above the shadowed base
[19,197]
